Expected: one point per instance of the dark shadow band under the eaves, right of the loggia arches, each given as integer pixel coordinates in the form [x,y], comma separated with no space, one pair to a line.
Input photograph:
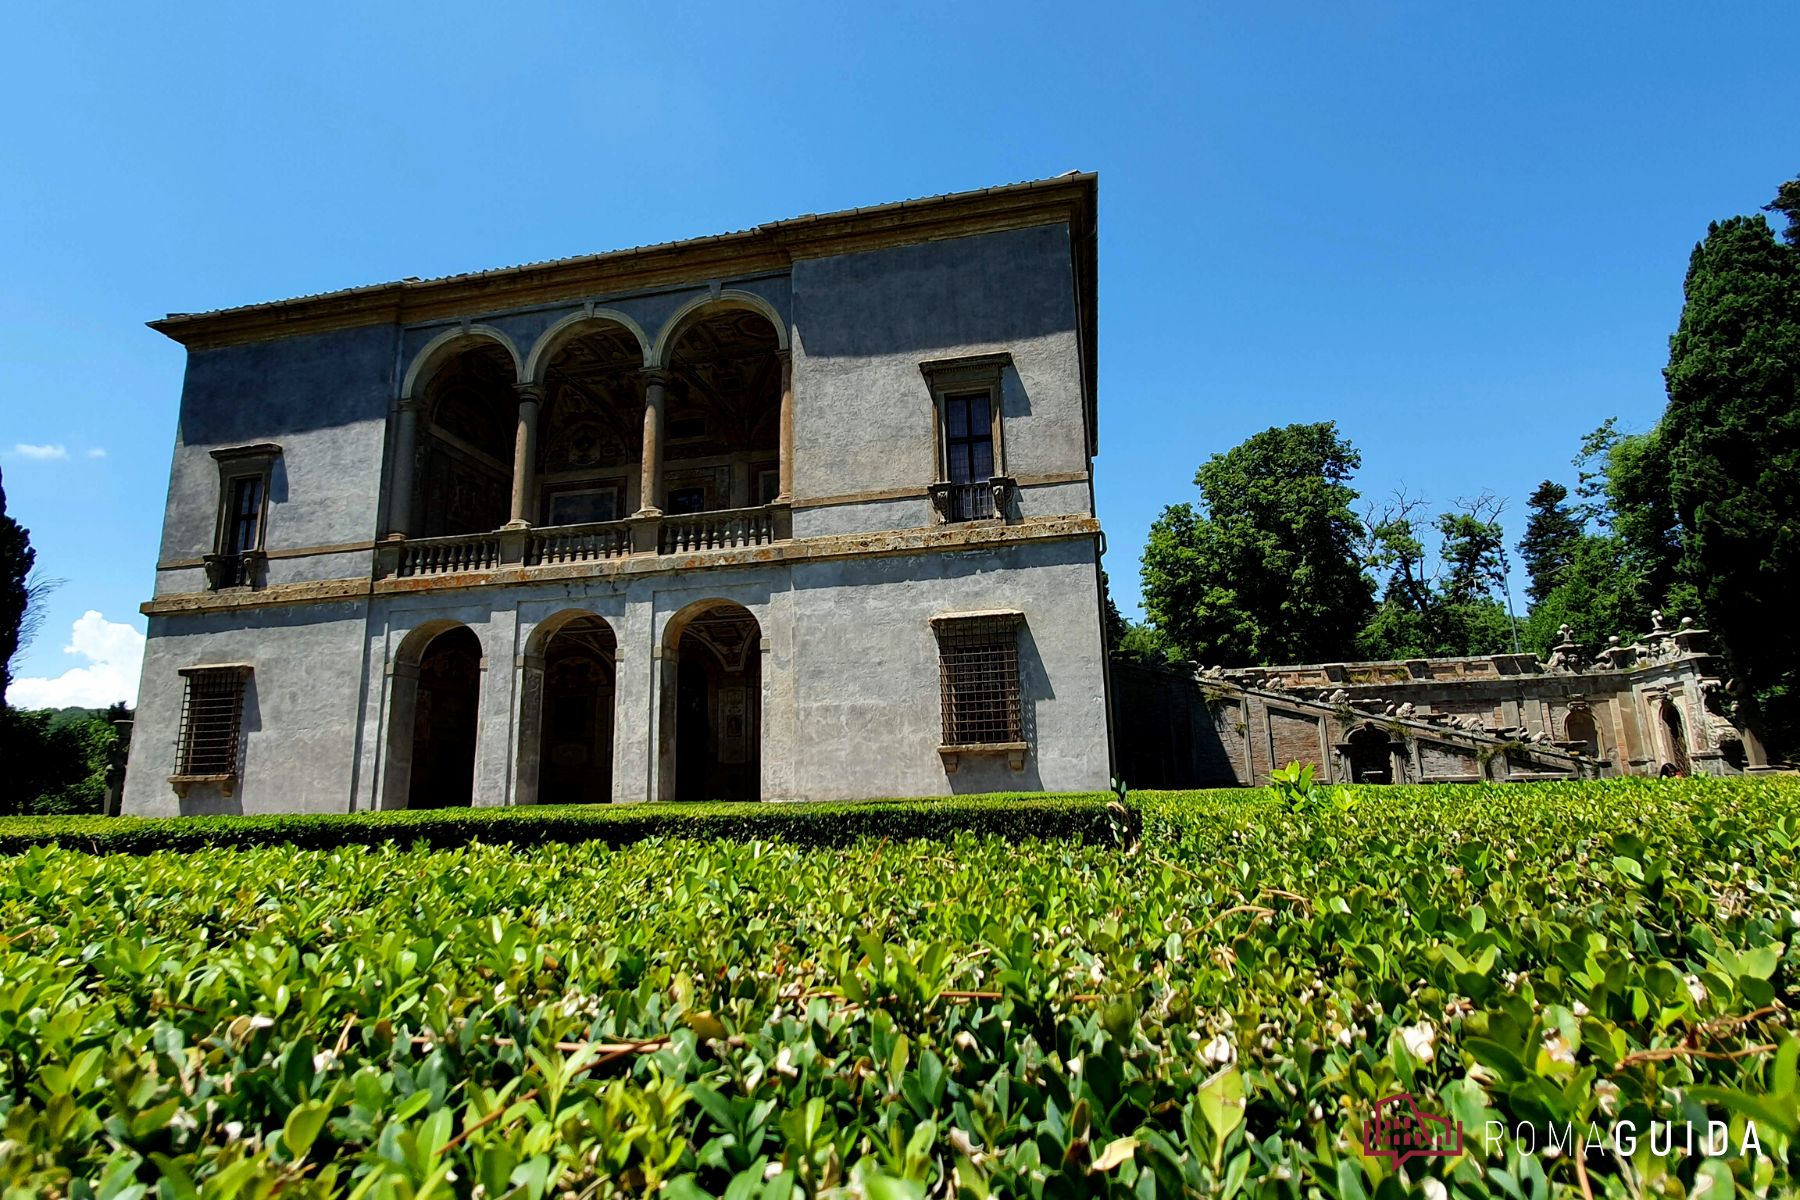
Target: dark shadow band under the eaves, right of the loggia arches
[940,294]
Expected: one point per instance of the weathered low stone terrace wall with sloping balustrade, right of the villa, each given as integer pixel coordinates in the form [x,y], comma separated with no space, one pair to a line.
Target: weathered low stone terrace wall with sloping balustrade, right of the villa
[1648,708]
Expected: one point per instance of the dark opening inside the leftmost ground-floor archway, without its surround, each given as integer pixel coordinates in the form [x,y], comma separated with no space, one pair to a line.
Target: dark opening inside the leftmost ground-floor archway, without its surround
[445,706]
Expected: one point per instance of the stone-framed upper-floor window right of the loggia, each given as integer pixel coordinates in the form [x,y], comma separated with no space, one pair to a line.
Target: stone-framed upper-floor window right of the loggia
[973,481]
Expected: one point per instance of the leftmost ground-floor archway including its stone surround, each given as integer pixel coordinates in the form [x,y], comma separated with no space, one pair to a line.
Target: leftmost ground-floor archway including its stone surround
[433,715]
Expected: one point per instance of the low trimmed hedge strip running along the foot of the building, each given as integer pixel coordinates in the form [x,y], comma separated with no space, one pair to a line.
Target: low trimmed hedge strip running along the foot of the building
[1011,816]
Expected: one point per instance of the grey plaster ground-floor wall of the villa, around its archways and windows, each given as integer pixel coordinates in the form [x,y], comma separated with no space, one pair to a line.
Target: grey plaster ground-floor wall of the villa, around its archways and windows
[850,681]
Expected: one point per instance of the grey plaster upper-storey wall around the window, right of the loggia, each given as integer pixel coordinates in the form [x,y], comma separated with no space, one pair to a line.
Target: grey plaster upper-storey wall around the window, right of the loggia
[865,323]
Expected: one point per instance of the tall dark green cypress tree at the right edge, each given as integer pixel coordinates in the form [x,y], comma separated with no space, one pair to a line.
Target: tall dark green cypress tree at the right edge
[1727,454]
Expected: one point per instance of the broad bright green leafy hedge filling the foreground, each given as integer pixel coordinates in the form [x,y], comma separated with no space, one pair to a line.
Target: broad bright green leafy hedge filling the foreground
[1210,1008]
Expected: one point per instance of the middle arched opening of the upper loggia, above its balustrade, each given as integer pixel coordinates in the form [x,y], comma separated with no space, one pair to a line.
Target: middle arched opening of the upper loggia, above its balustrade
[591,431]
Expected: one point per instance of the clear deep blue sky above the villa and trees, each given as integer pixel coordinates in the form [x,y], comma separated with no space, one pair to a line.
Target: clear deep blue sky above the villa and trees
[1457,231]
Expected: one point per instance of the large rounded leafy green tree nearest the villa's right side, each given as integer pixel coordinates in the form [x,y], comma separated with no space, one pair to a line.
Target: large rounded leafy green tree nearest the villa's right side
[1266,568]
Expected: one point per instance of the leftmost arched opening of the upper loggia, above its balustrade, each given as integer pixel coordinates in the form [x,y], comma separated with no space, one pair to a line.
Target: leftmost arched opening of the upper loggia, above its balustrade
[465,483]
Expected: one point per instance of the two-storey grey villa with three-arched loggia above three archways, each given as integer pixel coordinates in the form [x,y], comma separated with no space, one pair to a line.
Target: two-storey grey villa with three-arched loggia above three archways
[796,512]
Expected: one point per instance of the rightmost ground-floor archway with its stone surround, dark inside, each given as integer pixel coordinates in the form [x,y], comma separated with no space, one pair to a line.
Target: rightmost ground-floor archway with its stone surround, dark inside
[712,712]
